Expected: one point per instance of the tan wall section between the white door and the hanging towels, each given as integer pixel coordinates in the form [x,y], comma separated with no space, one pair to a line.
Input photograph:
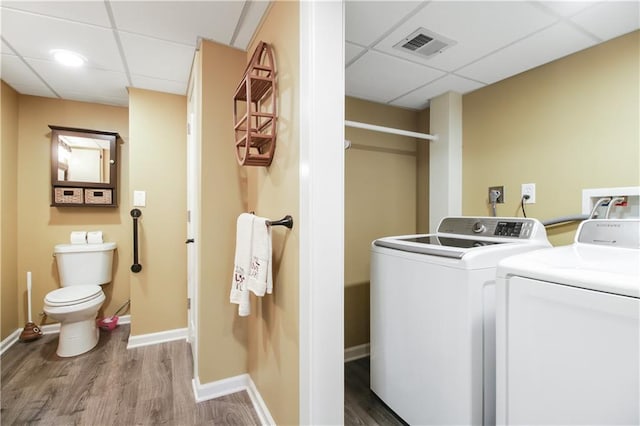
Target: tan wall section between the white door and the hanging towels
[222,339]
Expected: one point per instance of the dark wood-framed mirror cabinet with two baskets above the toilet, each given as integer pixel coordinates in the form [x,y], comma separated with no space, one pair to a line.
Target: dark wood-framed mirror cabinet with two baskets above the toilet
[83,167]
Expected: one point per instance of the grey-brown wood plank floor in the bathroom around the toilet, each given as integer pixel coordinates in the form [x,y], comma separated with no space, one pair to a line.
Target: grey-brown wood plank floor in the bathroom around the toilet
[110,385]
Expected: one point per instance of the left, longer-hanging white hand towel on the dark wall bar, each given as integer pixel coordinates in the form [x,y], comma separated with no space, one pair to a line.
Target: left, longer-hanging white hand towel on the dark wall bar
[239,291]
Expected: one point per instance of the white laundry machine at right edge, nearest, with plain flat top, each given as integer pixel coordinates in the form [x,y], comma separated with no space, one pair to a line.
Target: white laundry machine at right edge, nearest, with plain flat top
[568,330]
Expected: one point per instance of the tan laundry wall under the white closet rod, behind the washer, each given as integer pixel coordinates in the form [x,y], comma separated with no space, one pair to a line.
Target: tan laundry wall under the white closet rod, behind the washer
[380,199]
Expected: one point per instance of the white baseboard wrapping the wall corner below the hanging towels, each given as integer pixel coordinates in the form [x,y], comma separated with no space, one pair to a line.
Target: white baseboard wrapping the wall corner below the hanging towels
[242,382]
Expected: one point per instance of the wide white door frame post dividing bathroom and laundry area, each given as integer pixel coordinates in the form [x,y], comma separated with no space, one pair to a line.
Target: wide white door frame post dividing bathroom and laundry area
[321,212]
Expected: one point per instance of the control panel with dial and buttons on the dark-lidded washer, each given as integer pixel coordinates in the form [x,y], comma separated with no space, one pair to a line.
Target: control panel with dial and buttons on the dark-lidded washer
[520,228]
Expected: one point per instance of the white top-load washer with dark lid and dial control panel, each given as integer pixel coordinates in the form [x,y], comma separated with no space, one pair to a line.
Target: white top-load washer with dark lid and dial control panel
[432,317]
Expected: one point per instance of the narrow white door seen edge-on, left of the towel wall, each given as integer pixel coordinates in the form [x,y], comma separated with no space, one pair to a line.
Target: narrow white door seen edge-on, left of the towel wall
[193,207]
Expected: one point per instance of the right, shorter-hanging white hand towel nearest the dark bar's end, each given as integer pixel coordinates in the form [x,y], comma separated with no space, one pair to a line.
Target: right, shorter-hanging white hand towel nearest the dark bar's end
[260,275]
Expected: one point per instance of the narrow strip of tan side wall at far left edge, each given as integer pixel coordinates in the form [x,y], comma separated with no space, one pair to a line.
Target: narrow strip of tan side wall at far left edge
[9,213]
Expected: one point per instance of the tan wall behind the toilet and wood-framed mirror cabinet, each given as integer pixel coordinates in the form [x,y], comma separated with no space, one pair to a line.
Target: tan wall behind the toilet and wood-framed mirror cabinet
[40,226]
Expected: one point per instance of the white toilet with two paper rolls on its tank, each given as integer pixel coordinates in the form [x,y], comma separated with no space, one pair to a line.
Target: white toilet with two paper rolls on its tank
[82,269]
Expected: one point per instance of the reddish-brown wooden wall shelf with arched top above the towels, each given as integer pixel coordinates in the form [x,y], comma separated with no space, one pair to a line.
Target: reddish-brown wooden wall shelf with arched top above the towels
[255,110]
